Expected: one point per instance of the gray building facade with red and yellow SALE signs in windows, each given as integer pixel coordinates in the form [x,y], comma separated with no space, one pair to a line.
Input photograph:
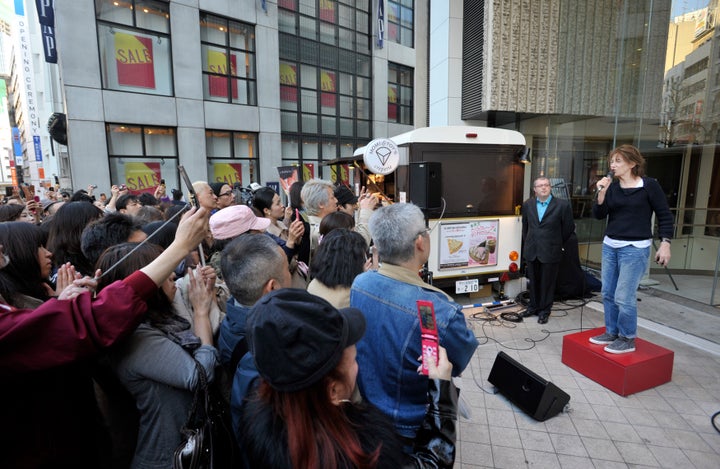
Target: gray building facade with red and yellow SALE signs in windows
[232,90]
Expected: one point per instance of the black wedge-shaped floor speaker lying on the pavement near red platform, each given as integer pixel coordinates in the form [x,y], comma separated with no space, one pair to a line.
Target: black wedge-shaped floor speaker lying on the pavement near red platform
[536,396]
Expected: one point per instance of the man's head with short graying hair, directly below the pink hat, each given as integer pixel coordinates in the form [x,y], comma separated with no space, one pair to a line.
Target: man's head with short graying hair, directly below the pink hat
[248,263]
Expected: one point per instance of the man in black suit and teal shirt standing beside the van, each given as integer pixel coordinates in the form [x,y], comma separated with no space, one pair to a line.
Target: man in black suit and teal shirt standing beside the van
[547,224]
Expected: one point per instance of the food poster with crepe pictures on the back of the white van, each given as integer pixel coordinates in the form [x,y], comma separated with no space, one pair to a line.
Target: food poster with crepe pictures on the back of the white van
[468,244]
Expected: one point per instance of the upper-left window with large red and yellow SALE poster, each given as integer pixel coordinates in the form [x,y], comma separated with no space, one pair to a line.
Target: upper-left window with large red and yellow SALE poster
[134,43]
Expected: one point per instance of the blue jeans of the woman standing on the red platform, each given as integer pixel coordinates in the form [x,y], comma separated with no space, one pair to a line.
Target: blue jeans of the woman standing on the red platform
[622,270]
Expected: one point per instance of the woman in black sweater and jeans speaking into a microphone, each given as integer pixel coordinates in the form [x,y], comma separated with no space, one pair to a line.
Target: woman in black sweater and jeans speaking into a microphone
[628,203]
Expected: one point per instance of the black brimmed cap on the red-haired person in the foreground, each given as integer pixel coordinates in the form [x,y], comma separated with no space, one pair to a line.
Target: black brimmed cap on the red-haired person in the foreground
[297,338]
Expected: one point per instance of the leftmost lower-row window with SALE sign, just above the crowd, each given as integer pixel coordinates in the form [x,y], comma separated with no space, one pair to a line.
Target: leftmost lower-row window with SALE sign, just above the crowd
[140,156]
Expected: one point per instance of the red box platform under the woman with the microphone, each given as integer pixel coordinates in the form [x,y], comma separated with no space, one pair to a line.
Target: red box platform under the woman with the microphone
[648,366]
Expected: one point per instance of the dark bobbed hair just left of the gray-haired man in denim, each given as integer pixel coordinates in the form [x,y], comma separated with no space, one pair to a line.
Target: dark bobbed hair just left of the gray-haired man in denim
[339,258]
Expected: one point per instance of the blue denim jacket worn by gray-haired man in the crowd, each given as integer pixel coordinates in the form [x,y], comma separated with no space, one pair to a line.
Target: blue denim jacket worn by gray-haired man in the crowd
[388,353]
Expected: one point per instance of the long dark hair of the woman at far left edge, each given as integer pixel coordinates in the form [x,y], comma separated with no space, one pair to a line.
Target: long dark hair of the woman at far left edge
[20,241]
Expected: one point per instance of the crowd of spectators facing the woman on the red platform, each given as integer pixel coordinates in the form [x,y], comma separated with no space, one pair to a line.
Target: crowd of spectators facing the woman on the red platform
[111,309]
